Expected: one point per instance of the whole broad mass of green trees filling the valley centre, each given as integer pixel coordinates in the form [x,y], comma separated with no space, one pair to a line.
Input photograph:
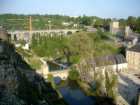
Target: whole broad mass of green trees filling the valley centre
[73,48]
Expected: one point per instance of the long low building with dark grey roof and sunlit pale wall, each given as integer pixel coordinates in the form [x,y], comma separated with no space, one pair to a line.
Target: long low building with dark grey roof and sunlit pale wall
[116,63]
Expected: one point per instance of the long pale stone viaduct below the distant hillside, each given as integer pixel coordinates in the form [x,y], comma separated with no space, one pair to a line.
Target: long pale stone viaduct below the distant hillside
[27,35]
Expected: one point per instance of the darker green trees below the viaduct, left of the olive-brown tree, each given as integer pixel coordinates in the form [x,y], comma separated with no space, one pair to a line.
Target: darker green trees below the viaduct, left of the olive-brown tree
[49,46]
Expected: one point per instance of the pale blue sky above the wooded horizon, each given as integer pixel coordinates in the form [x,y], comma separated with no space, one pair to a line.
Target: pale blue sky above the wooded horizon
[100,8]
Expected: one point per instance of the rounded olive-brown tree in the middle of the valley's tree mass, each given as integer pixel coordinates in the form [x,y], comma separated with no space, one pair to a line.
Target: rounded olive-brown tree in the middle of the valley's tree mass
[81,46]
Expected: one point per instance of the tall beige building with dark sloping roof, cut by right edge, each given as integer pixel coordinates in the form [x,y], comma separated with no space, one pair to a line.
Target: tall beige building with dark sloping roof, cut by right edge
[133,57]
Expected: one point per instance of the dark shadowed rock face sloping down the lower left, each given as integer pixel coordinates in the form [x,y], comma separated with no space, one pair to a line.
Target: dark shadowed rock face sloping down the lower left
[19,83]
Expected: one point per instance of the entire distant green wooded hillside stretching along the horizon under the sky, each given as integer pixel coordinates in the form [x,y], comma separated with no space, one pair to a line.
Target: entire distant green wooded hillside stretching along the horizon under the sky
[21,22]
